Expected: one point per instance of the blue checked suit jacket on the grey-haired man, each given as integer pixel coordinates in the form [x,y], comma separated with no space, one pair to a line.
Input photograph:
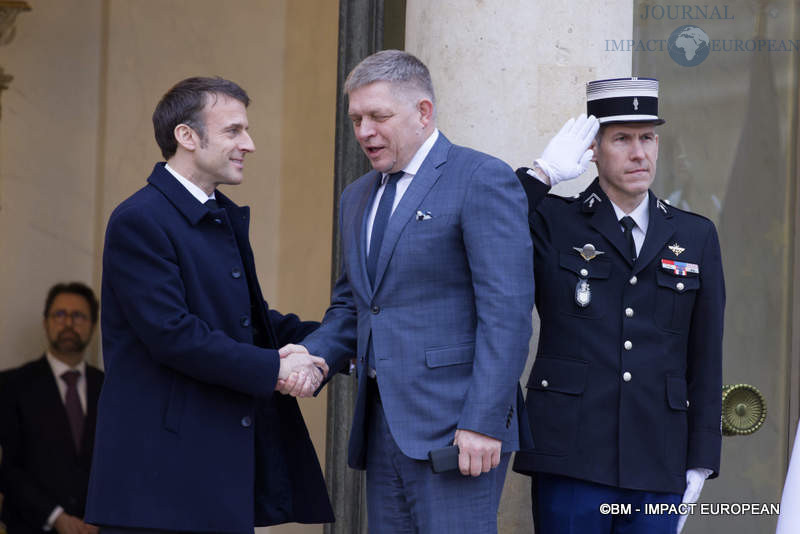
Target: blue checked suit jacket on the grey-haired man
[450,311]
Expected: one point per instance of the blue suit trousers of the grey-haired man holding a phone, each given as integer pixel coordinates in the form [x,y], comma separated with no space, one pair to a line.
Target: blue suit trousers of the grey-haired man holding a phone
[404,496]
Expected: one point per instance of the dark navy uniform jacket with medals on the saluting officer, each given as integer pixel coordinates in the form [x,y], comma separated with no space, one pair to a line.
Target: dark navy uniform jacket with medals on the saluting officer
[626,390]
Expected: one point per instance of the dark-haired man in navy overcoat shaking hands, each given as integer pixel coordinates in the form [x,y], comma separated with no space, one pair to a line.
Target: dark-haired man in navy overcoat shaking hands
[191,435]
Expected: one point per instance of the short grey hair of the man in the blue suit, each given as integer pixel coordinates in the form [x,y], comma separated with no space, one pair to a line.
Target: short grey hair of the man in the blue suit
[394,66]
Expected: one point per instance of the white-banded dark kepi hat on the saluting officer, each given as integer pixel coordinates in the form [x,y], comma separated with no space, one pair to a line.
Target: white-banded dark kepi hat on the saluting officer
[623,100]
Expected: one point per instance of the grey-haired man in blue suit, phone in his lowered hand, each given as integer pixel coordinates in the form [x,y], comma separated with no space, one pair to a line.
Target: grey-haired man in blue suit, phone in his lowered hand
[435,300]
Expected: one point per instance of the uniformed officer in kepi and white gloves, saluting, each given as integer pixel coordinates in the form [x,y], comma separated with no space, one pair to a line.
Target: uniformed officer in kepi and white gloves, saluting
[624,396]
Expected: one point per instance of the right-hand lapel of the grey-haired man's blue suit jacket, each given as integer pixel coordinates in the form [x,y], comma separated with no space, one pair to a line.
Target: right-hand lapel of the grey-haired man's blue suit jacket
[421,184]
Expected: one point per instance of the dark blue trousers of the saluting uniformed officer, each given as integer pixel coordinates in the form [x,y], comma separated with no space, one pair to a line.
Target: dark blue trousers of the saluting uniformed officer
[563,505]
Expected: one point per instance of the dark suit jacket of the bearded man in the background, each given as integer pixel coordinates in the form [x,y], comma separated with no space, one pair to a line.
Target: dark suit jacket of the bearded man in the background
[40,467]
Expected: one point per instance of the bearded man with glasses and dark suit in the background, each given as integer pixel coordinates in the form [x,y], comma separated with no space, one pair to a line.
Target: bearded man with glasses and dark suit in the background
[48,409]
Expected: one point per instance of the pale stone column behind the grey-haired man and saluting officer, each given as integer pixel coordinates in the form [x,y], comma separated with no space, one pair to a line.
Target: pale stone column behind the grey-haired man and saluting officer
[507,75]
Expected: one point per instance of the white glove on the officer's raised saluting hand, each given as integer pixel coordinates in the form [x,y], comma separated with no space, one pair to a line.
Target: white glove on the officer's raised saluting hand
[567,155]
